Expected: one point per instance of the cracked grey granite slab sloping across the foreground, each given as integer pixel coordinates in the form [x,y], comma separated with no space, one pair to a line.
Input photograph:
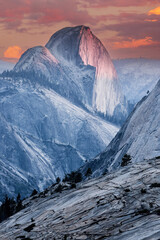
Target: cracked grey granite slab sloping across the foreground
[121,205]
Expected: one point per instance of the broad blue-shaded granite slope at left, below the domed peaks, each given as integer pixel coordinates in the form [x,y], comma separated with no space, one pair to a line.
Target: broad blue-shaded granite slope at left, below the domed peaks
[43,136]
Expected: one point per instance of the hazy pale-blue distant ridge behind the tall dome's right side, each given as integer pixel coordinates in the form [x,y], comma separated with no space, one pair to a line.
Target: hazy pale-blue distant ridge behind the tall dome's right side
[137,76]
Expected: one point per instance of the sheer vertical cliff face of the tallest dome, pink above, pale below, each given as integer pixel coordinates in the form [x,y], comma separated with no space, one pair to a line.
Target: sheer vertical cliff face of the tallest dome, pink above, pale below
[106,93]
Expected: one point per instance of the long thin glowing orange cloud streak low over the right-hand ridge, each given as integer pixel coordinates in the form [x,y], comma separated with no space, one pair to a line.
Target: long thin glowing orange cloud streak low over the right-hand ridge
[133,43]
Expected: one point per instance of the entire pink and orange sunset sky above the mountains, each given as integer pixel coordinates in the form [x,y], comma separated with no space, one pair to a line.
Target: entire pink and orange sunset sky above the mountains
[127,28]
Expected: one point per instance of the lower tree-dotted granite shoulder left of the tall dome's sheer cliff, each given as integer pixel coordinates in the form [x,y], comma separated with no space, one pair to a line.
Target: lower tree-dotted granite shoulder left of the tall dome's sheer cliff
[74,84]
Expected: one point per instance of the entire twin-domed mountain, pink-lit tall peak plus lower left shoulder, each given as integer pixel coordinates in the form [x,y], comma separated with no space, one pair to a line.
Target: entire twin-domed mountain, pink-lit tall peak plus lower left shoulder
[79,68]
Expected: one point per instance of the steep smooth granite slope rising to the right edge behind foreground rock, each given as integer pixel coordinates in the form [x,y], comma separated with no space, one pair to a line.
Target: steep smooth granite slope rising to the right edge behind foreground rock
[139,136]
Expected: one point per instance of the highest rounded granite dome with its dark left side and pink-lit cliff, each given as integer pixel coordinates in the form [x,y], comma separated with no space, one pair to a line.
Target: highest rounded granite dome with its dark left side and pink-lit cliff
[77,46]
